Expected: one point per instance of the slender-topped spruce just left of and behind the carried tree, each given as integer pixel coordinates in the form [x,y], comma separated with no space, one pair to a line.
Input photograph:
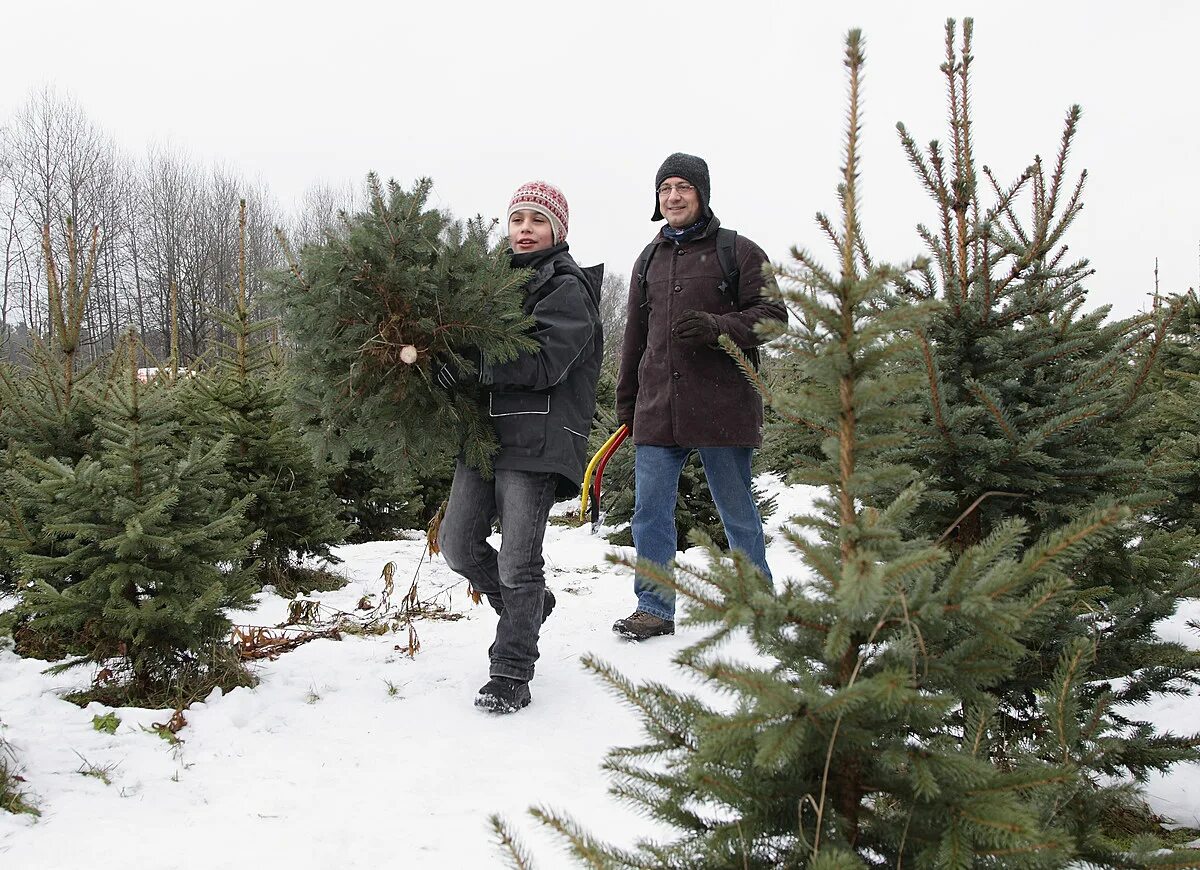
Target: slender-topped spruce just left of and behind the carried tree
[244,399]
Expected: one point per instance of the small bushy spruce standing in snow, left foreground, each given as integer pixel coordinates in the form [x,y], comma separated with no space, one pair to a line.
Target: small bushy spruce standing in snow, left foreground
[140,548]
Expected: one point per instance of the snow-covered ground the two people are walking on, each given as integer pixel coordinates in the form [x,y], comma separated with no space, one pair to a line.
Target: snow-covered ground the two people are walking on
[352,755]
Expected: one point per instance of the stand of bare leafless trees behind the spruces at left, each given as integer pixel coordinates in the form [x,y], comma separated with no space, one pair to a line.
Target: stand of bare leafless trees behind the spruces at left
[167,225]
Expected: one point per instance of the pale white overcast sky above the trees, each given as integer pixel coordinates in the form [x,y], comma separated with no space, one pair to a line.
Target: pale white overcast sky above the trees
[483,97]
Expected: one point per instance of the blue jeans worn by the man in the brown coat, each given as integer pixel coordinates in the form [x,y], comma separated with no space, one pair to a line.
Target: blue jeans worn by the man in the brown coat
[657,472]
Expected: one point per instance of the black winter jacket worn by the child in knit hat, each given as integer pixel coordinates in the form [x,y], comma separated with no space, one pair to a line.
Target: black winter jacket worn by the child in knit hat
[542,404]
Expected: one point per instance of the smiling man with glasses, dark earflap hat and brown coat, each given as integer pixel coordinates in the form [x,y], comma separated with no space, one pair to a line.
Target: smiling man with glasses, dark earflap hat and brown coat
[679,391]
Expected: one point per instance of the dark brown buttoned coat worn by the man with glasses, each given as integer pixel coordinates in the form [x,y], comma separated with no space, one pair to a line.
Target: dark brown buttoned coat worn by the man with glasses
[681,395]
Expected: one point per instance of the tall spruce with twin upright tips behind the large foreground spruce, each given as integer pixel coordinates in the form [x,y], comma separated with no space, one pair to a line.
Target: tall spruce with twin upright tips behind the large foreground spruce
[1034,410]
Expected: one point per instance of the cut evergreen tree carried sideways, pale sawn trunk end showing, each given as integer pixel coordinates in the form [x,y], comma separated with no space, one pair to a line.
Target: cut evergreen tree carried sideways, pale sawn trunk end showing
[395,281]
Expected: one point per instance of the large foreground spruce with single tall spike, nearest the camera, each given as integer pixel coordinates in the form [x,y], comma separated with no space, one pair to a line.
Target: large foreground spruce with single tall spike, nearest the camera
[867,730]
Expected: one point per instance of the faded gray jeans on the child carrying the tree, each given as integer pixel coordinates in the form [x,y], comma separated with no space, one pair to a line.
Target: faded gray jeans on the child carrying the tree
[513,579]
